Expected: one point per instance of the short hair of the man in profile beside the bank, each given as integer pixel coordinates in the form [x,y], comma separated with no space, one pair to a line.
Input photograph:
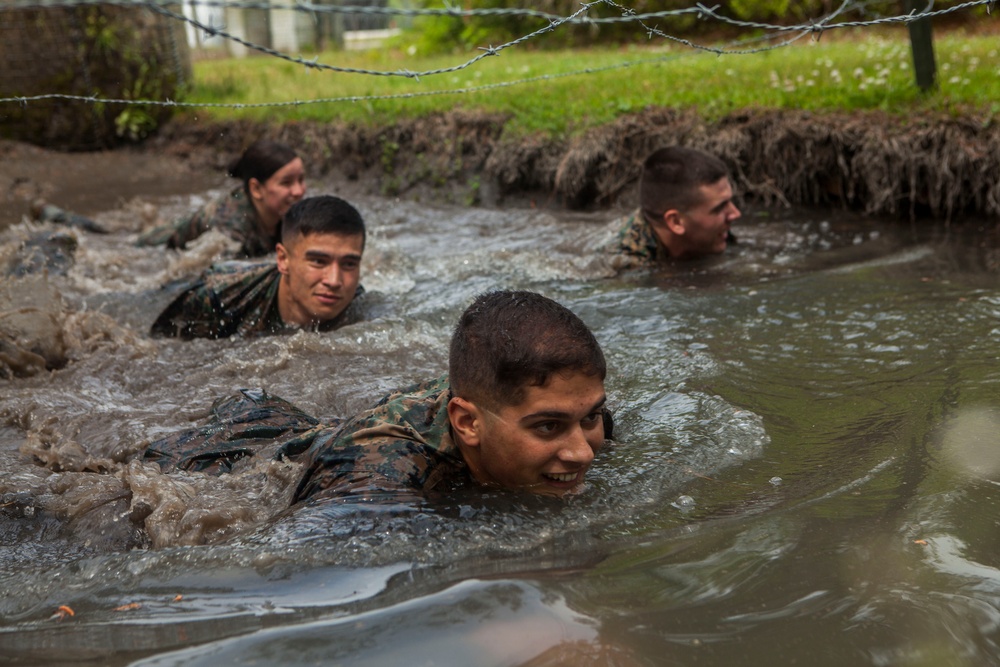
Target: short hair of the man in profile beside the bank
[672,176]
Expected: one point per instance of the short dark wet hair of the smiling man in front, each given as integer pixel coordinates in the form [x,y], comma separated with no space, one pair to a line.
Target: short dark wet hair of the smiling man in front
[507,341]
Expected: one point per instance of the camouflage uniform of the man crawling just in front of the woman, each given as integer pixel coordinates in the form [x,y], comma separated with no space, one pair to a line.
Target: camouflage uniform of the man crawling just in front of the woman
[236,298]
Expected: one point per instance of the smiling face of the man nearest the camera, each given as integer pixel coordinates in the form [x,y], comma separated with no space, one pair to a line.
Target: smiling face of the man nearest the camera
[546,443]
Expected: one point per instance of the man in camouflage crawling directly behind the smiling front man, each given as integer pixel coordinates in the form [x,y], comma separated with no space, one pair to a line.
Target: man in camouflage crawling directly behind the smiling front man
[312,284]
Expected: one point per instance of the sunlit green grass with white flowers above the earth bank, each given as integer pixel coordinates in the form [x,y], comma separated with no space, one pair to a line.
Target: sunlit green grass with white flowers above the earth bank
[861,71]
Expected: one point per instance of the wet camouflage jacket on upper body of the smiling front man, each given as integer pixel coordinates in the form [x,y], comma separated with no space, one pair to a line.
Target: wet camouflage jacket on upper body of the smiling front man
[401,445]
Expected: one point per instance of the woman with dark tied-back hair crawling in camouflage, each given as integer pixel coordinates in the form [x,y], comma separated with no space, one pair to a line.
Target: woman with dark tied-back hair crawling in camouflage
[273,179]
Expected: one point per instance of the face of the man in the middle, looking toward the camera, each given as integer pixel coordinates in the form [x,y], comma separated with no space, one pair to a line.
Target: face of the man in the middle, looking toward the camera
[320,274]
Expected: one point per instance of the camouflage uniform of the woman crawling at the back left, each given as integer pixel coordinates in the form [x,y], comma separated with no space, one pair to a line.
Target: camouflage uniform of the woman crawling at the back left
[232,214]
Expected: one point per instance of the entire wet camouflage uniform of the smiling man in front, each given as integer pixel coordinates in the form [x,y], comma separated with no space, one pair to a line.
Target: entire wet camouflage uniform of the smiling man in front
[402,444]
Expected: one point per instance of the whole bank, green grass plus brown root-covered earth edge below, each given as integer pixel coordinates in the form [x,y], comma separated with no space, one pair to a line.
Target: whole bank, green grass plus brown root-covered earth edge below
[837,121]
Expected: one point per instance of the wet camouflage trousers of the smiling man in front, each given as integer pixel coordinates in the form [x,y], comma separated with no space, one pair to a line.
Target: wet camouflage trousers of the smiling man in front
[250,423]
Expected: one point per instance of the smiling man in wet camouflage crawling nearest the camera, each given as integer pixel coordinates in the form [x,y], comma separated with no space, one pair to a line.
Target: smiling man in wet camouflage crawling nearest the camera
[521,408]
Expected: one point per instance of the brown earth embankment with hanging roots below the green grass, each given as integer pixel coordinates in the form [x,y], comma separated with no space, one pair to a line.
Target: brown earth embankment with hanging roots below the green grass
[920,167]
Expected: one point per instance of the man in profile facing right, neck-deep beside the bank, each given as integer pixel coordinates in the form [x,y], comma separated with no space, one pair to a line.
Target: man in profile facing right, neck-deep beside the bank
[685,210]
